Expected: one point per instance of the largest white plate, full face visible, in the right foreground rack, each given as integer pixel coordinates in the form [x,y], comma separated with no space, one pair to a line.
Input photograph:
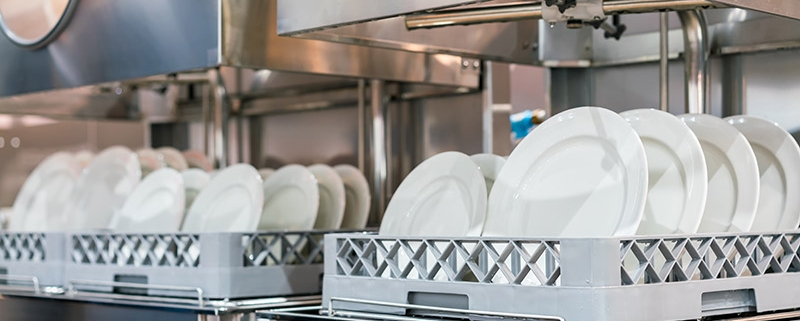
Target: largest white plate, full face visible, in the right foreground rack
[581,173]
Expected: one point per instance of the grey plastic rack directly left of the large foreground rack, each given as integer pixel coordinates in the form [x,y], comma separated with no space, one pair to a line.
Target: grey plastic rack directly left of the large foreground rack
[221,265]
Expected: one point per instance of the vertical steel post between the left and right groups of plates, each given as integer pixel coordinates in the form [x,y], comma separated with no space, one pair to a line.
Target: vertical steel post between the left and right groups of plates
[378,148]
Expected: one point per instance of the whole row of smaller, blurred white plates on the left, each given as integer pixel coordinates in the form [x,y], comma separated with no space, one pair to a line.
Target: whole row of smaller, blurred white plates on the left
[157,191]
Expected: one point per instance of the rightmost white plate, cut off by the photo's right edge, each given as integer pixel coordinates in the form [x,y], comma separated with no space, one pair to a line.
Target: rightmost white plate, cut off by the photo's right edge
[778,158]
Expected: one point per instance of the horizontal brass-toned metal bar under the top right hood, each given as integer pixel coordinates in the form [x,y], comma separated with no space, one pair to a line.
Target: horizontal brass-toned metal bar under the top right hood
[514,12]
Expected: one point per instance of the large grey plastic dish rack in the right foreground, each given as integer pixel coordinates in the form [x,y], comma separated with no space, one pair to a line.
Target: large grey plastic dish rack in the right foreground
[641,278]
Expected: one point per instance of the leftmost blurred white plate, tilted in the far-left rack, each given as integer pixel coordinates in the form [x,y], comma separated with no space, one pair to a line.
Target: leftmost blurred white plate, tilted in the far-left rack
[40,203]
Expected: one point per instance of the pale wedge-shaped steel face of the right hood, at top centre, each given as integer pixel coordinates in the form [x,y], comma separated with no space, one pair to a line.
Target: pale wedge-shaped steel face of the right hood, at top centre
[297,15]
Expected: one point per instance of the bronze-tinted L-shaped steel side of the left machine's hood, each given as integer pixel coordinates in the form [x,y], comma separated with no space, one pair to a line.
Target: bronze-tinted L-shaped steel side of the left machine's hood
[250,40]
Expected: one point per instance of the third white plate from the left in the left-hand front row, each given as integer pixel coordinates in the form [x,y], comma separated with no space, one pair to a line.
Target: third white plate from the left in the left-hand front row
[156,204]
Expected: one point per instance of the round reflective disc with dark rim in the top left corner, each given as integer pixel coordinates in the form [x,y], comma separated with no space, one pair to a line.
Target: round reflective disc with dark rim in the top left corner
[34,23]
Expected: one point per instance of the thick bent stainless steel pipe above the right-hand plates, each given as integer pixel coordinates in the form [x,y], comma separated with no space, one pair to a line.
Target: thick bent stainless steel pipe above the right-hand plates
[695,56]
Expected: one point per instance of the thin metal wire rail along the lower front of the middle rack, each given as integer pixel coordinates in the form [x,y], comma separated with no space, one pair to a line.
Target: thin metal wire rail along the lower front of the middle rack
[72,289]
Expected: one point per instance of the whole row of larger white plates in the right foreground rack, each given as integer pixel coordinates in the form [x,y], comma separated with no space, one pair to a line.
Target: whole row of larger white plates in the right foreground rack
[589,172]
